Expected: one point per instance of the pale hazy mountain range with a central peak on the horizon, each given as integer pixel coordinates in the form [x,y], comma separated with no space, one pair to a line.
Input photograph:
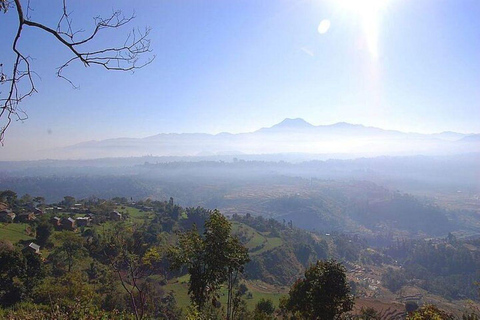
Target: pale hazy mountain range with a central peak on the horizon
[291,136]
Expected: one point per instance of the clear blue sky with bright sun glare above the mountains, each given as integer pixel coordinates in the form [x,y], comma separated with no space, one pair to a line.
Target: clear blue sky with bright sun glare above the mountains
[237,66]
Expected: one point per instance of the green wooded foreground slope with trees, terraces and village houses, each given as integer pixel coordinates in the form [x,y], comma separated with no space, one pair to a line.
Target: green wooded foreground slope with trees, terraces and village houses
[118,258]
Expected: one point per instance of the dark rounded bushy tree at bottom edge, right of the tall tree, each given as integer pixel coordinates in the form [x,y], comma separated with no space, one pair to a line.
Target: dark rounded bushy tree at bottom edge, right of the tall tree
[323,294]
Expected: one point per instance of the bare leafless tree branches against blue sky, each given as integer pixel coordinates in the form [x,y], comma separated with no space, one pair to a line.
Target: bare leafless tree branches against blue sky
[17,78]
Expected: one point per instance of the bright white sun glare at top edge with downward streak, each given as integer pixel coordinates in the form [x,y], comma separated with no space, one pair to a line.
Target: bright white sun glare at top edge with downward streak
[369,12]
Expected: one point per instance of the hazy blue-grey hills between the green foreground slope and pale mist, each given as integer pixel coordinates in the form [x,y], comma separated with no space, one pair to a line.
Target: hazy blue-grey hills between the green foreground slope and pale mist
[324,205]
